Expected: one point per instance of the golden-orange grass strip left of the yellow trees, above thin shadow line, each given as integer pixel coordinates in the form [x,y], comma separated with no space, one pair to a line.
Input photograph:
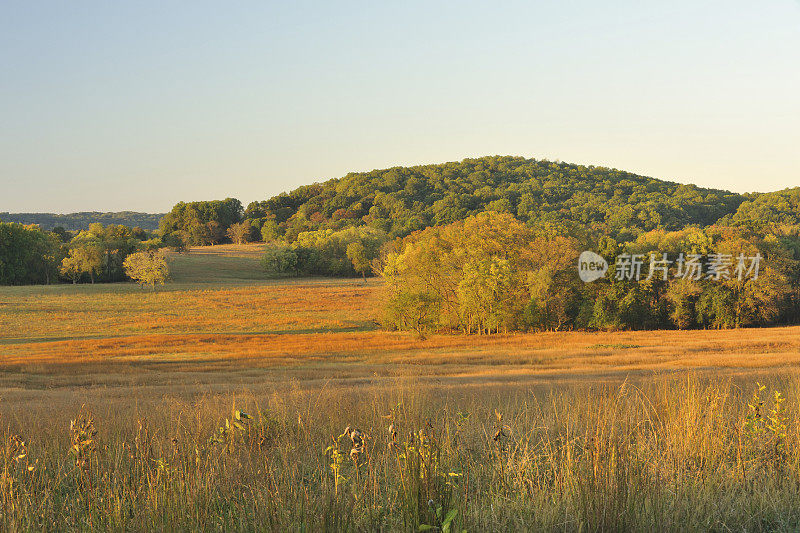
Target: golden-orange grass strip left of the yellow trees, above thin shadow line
[27,314]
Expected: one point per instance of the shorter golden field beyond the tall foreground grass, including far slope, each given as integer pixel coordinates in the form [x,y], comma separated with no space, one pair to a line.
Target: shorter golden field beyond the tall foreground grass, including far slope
[220,316]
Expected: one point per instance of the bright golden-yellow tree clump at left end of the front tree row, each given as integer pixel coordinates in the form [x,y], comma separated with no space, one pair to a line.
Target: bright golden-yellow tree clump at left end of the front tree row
[478,275]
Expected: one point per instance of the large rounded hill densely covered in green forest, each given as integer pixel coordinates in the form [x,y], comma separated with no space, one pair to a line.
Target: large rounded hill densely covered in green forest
[403,199]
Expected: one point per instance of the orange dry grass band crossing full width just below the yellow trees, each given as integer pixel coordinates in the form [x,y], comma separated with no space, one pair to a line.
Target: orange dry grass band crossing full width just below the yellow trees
[524,353]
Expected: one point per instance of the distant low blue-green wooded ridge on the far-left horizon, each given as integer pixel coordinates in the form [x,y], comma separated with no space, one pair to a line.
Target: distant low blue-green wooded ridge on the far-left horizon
[81,221]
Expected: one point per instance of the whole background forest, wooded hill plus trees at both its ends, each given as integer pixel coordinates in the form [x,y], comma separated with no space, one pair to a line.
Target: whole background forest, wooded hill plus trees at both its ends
[574,200]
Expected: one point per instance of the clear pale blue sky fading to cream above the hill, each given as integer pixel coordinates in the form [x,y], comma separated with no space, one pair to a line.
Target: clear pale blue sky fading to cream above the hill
[110,106]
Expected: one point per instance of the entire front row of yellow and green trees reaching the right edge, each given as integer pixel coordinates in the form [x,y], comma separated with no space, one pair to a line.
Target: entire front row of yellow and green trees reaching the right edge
[493,273]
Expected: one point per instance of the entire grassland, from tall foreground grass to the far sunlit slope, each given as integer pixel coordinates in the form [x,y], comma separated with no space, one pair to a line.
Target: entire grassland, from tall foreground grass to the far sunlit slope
[568,430]
